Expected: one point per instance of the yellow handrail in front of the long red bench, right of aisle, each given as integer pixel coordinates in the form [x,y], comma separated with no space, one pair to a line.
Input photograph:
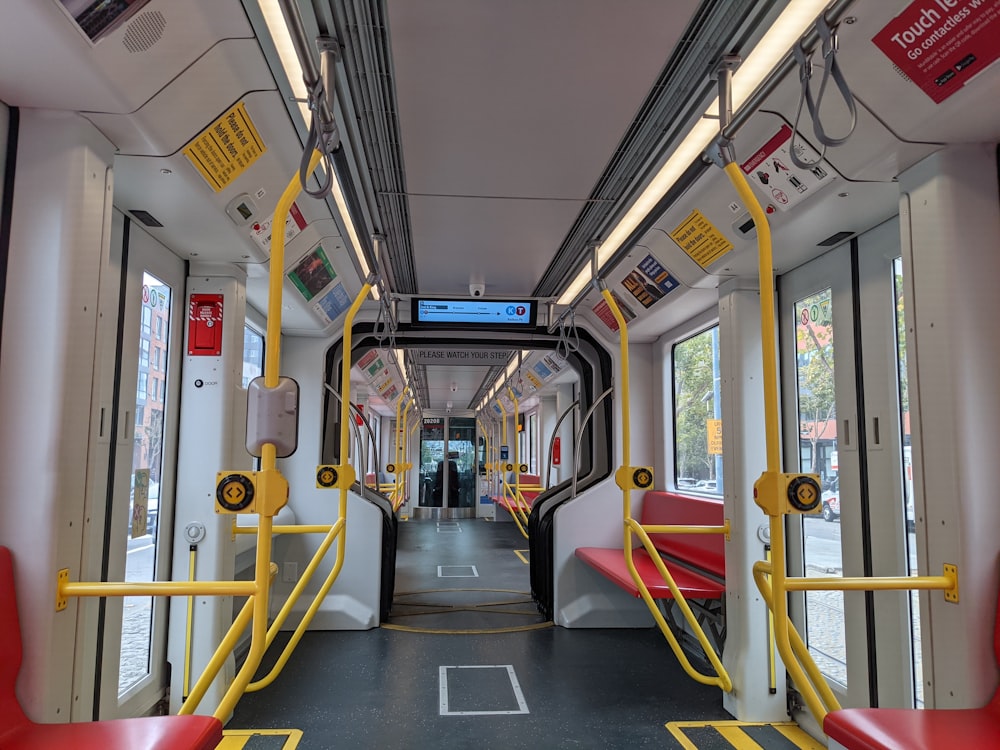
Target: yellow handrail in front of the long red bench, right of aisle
[631,526]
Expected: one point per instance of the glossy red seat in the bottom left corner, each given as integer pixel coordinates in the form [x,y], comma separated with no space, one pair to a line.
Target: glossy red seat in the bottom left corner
[17,732]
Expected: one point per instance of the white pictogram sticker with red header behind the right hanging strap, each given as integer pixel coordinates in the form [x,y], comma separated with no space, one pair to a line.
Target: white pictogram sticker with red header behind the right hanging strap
[772,171]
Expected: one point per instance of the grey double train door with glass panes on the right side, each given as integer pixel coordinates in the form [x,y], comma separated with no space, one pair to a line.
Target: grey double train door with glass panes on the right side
[845,418]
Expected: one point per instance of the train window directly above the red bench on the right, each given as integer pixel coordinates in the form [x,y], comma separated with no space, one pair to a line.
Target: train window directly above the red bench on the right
[698,414]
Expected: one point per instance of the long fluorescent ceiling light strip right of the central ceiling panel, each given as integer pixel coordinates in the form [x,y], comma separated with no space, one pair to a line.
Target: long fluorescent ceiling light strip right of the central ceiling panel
[786,31]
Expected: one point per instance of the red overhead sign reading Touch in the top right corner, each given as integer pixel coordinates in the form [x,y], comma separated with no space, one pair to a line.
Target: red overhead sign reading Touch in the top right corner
[942,44]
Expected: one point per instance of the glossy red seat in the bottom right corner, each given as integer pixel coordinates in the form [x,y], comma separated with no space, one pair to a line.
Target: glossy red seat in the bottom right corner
[919,729]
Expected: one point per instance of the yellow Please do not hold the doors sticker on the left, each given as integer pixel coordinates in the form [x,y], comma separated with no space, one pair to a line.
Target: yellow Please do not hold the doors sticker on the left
[224,150]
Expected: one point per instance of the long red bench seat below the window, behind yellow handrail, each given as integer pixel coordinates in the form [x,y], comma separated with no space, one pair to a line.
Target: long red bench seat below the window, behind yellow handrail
[688,554]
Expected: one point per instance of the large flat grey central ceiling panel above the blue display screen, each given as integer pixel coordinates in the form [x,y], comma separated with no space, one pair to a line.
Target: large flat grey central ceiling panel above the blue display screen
[515,100]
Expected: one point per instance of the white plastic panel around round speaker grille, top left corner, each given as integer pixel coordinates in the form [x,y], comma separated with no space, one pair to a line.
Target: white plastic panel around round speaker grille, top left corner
[47,61]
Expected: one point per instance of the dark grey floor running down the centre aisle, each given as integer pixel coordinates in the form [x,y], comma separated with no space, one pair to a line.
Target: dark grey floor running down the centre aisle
[382,688]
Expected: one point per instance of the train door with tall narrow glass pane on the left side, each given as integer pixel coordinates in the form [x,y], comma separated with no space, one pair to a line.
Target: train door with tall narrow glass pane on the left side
[142,460]
